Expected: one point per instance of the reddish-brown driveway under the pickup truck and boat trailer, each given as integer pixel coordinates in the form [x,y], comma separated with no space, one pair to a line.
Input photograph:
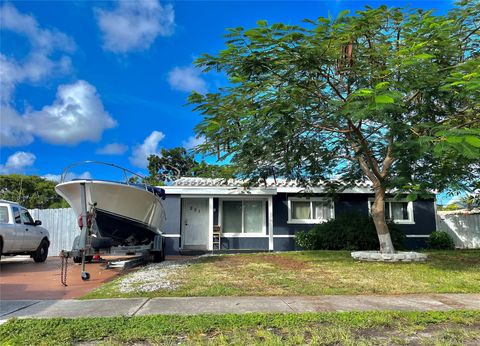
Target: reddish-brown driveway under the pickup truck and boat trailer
[22,278]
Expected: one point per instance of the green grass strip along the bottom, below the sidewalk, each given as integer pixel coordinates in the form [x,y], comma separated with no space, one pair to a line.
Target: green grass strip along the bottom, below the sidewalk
[348,328]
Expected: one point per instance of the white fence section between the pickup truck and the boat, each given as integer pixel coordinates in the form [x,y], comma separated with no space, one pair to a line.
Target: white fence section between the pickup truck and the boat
[62,225]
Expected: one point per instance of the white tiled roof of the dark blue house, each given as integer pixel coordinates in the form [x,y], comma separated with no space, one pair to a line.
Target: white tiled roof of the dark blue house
[214,186]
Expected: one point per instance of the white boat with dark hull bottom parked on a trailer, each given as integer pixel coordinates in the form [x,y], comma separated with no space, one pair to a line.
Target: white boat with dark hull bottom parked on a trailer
[124,213]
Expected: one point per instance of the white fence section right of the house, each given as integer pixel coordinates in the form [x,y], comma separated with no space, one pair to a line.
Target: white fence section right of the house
[464,229]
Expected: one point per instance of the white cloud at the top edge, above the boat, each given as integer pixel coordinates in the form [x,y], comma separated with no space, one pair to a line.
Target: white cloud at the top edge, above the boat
[134,25]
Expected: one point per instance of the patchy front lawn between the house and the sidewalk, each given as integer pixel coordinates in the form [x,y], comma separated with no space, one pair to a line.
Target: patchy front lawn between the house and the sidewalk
[310,273]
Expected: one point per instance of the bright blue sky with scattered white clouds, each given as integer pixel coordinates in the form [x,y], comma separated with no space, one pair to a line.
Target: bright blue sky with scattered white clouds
[108,81]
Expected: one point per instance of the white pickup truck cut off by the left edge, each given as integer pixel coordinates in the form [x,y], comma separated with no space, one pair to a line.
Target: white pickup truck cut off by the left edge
[20,235]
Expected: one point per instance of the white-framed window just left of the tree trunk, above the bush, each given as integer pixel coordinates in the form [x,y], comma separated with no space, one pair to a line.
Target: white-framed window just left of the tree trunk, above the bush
[313,210]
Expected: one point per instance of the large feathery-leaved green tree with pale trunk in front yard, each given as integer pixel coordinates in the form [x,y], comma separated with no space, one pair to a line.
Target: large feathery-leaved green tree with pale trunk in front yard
[361,97]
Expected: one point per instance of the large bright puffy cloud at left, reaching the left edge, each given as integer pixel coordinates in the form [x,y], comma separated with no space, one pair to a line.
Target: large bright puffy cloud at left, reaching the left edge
[75,116]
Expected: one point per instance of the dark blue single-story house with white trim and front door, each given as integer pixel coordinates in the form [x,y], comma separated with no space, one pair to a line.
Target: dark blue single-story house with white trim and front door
[267,217]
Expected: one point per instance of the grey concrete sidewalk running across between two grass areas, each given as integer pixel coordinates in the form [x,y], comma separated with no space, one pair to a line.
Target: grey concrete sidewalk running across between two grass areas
[221,305]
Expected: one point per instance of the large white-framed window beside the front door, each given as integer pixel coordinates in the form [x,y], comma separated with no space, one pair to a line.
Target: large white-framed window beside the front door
[243,217]
